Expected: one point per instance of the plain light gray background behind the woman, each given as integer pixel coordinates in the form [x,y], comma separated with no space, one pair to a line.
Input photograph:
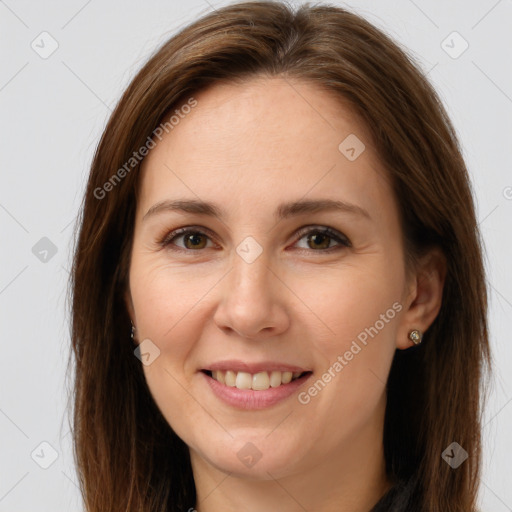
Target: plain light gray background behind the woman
[53,111]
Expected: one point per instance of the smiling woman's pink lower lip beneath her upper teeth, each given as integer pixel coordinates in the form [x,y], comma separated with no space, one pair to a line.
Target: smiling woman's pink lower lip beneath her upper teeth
[250,399]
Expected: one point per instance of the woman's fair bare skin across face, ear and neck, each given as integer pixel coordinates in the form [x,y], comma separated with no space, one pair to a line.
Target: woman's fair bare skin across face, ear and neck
[248,148]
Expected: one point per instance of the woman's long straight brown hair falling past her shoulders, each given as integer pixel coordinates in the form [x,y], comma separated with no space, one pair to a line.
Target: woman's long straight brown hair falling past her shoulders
[128,457]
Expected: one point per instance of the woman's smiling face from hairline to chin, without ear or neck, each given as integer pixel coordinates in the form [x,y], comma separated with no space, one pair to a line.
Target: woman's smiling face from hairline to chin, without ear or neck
[259,291]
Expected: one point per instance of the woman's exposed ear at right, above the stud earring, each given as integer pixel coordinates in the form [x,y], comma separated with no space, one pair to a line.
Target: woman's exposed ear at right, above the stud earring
[424,296]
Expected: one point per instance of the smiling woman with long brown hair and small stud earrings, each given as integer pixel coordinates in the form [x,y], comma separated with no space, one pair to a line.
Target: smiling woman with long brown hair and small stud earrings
[279,300]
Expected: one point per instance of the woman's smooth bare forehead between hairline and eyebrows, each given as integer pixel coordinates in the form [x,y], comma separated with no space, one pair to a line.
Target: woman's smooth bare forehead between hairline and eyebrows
[265,140]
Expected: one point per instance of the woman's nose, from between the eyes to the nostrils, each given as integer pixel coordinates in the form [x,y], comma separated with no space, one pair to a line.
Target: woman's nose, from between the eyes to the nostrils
[253,300]
